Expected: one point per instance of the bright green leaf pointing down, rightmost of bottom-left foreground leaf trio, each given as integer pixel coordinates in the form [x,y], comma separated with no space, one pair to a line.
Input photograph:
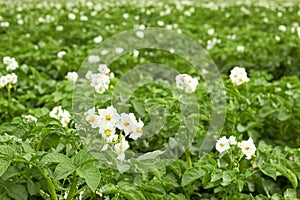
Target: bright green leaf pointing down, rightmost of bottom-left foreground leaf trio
[91,175]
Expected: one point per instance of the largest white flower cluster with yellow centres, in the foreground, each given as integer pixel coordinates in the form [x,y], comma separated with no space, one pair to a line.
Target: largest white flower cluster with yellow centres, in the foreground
[108,120]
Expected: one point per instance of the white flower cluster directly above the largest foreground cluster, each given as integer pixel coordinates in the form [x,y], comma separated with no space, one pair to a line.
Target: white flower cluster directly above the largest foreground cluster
[100,81]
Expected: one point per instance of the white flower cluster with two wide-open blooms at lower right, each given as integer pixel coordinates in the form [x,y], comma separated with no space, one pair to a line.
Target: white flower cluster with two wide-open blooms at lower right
[247,146]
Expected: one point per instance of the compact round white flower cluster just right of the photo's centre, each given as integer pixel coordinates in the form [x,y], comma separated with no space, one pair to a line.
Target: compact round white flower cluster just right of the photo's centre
[186,82]
